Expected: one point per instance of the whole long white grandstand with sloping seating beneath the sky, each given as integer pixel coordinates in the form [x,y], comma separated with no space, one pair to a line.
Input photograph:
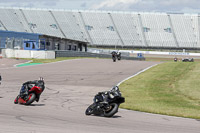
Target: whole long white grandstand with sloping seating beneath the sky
[108,29]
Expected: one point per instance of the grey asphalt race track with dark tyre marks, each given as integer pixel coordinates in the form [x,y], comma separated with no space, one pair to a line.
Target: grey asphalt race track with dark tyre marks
[70,87]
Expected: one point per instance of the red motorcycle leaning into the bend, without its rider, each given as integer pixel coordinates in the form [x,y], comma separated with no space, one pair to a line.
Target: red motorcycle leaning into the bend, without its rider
[33,95]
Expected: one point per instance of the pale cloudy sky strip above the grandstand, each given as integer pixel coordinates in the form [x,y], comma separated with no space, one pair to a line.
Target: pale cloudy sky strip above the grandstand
[185,6]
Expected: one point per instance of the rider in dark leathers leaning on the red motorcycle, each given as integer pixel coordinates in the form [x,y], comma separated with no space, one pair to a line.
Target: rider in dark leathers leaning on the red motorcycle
[26,87]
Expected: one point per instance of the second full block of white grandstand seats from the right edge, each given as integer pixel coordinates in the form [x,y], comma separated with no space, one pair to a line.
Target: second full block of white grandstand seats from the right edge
[157,34]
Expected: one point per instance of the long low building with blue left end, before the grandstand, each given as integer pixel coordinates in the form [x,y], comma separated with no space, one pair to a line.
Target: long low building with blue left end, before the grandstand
[34,41]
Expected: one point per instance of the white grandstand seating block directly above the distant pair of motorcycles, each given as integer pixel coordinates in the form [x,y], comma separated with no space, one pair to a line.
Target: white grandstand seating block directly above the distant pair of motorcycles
[98,26]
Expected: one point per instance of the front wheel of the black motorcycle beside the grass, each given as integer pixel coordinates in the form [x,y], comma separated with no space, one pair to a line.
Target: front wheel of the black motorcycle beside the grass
[113,110]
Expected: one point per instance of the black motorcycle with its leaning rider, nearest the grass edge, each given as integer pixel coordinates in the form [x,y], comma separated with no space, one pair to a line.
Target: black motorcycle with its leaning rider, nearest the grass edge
[106,103]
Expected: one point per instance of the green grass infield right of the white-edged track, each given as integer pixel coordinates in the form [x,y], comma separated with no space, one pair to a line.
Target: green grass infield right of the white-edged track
[171,88]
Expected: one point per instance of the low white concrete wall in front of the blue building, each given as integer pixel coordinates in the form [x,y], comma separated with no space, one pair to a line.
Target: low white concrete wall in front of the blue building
[10,53]
